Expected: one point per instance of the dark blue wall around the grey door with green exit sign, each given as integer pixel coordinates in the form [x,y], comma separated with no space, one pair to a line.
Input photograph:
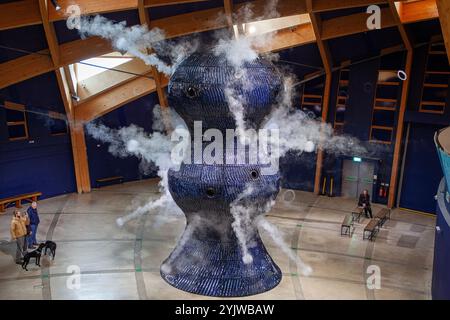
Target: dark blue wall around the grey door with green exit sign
[358,119]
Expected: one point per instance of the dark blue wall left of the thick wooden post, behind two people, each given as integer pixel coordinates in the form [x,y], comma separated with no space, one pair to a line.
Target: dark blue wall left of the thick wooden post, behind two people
[43,162]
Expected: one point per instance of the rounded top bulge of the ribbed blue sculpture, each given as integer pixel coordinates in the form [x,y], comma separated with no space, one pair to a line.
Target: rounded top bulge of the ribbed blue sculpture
[208,75]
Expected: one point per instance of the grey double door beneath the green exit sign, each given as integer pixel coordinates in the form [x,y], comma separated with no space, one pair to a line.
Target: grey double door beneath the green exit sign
[357,176]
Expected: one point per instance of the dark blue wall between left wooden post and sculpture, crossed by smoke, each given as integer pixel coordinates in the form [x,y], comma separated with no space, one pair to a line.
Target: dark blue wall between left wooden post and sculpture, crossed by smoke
[102,163]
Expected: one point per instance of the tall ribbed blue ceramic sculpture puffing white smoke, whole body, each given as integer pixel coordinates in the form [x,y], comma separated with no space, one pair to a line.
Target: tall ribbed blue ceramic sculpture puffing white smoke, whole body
[208,259]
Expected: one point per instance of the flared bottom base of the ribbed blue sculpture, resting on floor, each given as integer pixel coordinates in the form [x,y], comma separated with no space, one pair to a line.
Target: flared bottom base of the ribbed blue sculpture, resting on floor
[216,268]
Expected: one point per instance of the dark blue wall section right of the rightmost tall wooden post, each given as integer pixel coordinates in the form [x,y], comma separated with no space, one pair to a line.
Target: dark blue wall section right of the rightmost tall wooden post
[421,163]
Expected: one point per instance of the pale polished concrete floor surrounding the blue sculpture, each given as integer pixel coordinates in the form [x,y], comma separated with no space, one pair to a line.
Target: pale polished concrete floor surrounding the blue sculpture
[123,263]
